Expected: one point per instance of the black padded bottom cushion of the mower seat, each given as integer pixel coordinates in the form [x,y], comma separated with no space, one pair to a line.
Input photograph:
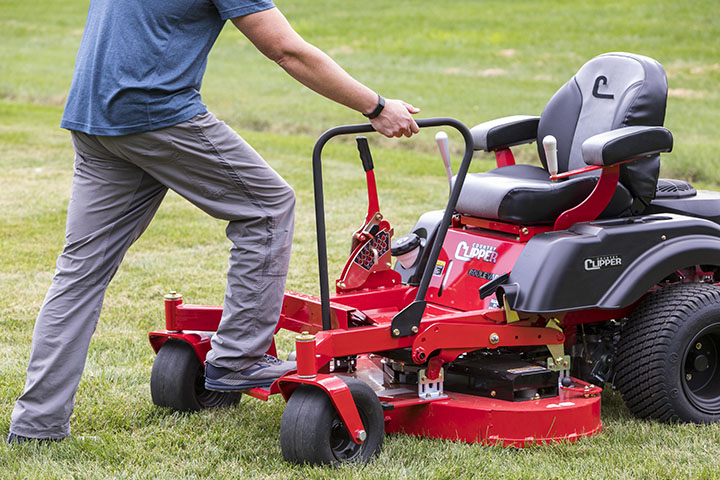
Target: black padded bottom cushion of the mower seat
[525,195]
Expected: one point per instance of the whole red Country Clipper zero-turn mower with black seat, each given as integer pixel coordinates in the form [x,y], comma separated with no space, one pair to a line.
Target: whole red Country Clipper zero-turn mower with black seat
[504,315]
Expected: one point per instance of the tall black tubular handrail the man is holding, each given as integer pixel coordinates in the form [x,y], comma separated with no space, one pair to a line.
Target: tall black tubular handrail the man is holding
[402,324]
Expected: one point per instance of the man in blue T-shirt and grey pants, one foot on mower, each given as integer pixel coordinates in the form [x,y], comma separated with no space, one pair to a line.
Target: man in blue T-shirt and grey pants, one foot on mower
[138,128]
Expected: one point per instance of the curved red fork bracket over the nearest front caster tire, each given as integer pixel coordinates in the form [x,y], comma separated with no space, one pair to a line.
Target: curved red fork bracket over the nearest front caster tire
[339,394]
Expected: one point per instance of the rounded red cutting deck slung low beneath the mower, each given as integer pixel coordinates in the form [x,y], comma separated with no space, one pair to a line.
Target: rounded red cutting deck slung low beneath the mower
[567,417]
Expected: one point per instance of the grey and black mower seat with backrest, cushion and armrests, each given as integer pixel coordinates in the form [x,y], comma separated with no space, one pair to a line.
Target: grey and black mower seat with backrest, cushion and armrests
[610,92]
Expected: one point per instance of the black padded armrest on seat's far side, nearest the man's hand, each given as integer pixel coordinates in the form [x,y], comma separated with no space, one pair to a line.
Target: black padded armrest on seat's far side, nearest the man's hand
[505,132]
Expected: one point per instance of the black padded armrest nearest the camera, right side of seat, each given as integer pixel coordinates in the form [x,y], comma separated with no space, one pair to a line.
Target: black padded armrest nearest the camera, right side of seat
[625,144]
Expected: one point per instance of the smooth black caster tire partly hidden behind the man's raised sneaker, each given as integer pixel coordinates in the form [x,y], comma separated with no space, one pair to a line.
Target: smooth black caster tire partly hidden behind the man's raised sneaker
[178,381]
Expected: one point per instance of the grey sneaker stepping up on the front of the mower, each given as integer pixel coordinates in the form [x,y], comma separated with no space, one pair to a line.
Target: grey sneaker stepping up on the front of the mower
[262,374]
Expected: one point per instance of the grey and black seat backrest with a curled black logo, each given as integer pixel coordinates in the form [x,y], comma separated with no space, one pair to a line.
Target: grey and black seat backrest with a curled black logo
[610,91]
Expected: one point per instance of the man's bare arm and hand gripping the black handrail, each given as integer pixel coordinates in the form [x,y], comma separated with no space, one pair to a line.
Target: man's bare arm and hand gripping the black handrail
[271,33]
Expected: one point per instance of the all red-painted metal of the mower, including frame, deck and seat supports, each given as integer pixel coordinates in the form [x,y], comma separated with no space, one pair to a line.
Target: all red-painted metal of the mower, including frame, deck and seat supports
[448,329]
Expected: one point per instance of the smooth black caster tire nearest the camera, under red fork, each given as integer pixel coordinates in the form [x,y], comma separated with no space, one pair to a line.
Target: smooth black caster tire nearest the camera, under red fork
[311,430]
